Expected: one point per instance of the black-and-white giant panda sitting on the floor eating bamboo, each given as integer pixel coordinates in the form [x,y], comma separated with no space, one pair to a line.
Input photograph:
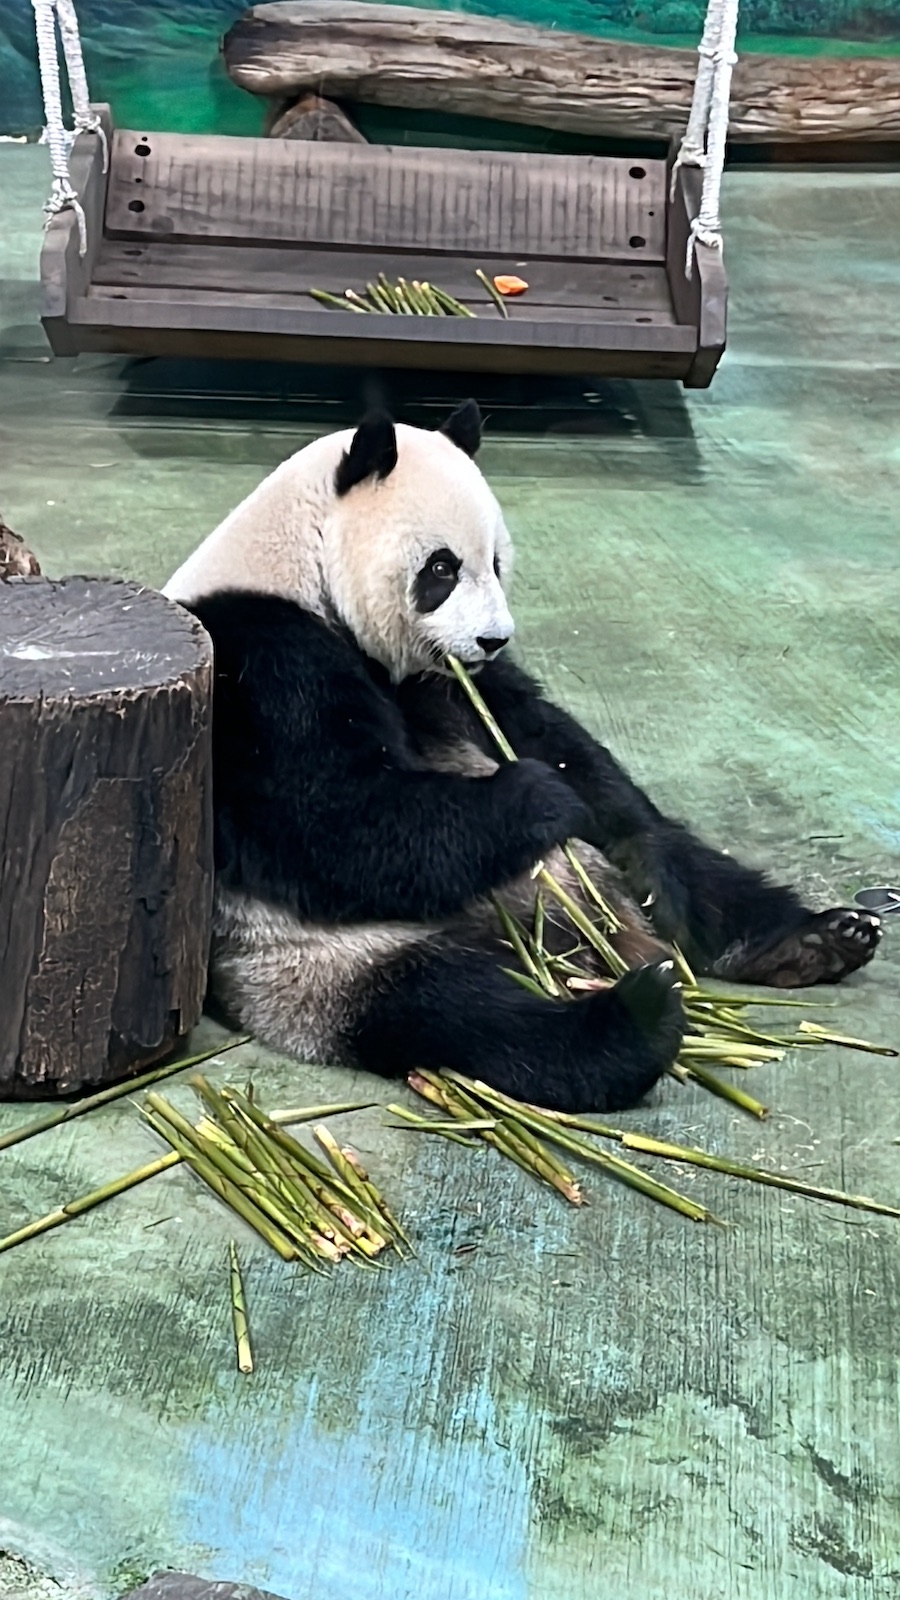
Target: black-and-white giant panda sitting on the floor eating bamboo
[363,822]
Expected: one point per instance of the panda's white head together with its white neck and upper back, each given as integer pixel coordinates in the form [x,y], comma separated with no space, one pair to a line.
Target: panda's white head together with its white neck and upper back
[388,530]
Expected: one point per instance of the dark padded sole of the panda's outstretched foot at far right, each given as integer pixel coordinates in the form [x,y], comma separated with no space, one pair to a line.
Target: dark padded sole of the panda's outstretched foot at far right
[824,950]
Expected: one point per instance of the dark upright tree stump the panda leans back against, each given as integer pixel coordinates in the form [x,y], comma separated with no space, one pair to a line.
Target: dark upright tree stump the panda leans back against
[106,846]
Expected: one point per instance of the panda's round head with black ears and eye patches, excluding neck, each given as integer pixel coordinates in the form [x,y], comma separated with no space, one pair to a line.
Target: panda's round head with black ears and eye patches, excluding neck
[416,546]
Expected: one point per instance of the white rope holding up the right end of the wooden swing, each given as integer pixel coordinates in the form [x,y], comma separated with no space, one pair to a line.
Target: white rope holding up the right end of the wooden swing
[707,134]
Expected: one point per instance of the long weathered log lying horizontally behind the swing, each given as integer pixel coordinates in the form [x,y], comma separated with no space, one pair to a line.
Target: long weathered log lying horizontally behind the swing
[475,66]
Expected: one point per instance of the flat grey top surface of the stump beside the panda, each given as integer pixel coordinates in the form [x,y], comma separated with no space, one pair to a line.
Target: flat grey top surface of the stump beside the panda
[92,636]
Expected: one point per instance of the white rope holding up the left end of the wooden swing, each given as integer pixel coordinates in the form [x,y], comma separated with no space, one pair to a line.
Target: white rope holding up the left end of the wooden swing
[63,198]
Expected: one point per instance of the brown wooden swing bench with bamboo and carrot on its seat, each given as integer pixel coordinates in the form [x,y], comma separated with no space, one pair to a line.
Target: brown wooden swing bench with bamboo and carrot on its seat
[209,247]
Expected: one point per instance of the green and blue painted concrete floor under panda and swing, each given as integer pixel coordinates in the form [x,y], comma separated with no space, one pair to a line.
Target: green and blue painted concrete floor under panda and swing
[609,1406]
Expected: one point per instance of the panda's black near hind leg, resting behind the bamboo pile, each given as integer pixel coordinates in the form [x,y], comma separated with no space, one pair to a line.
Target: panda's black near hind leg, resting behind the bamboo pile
[454,1007]
